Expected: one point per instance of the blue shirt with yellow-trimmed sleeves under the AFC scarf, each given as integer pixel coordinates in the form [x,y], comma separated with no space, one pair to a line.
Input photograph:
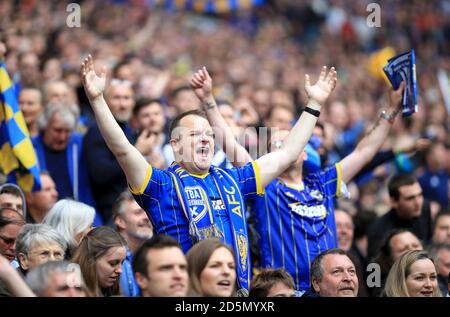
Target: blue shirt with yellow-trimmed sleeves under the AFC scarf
[159,198]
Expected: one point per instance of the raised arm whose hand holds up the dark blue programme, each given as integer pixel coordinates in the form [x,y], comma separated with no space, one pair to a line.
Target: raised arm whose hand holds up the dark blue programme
[374,139]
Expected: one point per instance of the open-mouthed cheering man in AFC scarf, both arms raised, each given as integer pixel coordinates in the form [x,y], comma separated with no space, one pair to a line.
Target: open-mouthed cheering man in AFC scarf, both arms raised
[193,200]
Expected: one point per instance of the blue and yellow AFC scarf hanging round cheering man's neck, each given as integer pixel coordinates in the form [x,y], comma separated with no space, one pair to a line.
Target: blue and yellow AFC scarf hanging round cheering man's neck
[196,206]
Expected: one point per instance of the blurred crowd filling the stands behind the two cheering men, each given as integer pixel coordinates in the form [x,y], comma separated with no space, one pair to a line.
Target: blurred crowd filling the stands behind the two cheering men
[257,58]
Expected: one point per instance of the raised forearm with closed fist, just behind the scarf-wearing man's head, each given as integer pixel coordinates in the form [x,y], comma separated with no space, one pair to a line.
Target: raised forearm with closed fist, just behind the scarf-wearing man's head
[201,84]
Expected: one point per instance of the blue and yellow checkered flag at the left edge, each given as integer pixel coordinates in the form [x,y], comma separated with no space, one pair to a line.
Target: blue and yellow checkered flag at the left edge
[17,157]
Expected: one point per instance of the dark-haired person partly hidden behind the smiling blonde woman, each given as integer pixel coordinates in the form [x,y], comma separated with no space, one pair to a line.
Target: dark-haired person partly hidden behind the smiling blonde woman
[396,243]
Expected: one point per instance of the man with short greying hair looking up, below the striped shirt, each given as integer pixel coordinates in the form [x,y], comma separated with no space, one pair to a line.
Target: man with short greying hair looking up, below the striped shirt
[333,274]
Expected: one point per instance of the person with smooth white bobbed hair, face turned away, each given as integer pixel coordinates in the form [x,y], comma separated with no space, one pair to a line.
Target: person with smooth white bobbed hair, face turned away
[72,219]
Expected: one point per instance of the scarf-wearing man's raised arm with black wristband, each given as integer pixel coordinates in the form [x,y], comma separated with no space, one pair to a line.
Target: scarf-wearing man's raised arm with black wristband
[273,164]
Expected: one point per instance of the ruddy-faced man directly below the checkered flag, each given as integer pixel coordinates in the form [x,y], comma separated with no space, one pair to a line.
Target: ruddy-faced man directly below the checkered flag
[40,202]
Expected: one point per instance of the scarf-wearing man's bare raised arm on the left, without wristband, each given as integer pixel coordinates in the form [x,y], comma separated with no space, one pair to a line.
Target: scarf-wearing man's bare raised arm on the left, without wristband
[132,162]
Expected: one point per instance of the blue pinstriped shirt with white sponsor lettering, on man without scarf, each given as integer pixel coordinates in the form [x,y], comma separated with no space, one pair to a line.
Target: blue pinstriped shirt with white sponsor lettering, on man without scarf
[295,224]
